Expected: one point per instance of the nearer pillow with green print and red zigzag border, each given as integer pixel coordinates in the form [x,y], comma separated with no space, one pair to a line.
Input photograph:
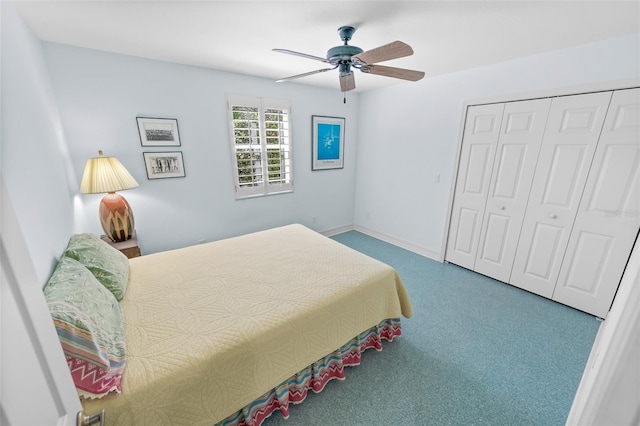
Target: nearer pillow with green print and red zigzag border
[90,326]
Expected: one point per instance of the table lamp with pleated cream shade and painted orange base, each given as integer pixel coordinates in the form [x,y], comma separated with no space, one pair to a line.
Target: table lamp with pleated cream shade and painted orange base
[107,174]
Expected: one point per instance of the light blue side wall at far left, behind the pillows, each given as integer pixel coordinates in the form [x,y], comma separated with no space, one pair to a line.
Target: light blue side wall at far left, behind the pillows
[34,155]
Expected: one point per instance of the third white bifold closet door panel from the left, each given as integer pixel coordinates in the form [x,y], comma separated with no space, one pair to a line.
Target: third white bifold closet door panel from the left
[568,146]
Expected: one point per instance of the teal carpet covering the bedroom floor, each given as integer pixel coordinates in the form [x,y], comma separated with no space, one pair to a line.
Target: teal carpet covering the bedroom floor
[476,352]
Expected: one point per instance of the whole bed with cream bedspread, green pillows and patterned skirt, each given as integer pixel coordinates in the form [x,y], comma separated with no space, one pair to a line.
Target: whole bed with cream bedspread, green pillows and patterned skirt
[225,332]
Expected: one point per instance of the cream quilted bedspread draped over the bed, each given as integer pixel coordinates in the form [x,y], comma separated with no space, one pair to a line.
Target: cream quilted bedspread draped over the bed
[212,327]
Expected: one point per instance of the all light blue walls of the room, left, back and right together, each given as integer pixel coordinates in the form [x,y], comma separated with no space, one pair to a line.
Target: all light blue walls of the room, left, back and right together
[398,140]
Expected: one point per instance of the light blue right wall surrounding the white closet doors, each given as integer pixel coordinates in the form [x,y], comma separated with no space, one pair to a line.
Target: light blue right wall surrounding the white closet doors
[412,132]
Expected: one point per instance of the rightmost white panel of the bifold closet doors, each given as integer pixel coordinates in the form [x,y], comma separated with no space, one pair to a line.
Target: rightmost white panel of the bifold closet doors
[609,214]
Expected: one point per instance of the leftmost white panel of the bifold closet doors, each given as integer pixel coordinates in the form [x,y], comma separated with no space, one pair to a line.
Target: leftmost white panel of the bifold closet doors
[481,131]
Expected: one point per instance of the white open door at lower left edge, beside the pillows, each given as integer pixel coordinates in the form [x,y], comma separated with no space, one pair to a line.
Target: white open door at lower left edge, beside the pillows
[22,286]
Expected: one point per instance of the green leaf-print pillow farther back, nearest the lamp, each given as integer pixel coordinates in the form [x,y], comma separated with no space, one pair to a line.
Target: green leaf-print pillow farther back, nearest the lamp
[106,263]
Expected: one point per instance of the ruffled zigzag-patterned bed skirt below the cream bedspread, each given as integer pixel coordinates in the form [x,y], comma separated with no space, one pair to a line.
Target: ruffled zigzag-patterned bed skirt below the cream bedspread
[294,390]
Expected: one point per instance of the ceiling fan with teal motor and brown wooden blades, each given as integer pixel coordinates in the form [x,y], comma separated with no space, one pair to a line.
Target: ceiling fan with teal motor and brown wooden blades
[346,58]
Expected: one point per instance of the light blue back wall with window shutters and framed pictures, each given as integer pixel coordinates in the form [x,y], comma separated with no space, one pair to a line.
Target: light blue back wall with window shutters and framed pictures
[101,94]
